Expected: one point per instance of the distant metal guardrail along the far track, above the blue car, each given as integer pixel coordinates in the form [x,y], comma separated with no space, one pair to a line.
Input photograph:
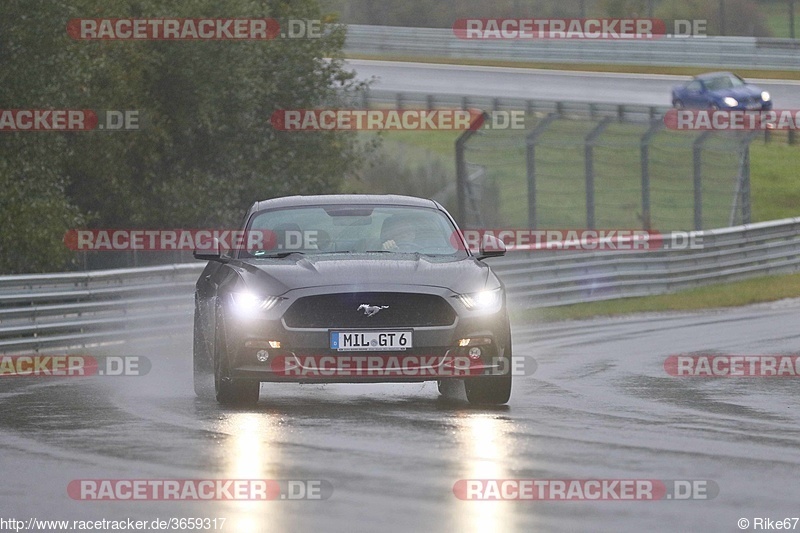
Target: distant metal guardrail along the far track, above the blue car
[722,52]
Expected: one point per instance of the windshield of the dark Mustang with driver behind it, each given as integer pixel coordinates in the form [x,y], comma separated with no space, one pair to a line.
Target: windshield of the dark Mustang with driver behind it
[351,229]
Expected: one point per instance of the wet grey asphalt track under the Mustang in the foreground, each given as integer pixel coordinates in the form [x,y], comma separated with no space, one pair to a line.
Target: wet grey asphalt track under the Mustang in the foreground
[599,406]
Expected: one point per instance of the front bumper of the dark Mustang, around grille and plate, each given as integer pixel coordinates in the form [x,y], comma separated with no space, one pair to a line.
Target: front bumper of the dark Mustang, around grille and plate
[263,348]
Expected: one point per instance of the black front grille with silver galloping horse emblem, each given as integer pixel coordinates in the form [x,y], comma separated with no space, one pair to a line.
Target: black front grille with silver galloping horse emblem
[342,311]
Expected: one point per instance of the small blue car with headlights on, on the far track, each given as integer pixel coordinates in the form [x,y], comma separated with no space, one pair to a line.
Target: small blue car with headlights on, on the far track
[720,90]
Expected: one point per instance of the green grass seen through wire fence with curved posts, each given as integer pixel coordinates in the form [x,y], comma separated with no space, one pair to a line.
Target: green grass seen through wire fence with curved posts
[561,171]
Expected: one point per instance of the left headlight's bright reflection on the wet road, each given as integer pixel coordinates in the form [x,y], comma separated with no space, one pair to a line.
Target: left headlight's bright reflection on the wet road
[253,453]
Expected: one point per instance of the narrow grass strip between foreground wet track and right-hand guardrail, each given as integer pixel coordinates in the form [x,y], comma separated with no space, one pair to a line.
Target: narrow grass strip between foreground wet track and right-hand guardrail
[763,289]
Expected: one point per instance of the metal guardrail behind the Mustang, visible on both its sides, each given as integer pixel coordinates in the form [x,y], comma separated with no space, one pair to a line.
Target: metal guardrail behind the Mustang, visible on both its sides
[77,310]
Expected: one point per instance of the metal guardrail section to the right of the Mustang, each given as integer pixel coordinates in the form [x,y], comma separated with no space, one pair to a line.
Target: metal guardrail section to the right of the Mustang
[550,278]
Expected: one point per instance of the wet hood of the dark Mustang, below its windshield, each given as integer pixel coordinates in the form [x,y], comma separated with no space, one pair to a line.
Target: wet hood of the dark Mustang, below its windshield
[278,276]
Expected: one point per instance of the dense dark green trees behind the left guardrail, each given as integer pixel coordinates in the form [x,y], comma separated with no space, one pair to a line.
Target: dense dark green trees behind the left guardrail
[204,150]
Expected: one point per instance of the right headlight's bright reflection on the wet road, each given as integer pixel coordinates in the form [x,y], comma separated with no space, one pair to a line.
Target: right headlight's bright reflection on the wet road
[485,448]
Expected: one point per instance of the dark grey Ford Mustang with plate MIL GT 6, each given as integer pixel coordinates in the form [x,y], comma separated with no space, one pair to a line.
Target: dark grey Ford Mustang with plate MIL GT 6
[350,289]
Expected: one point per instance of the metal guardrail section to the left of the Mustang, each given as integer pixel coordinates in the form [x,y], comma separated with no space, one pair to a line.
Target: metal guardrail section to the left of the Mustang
[72,310]
